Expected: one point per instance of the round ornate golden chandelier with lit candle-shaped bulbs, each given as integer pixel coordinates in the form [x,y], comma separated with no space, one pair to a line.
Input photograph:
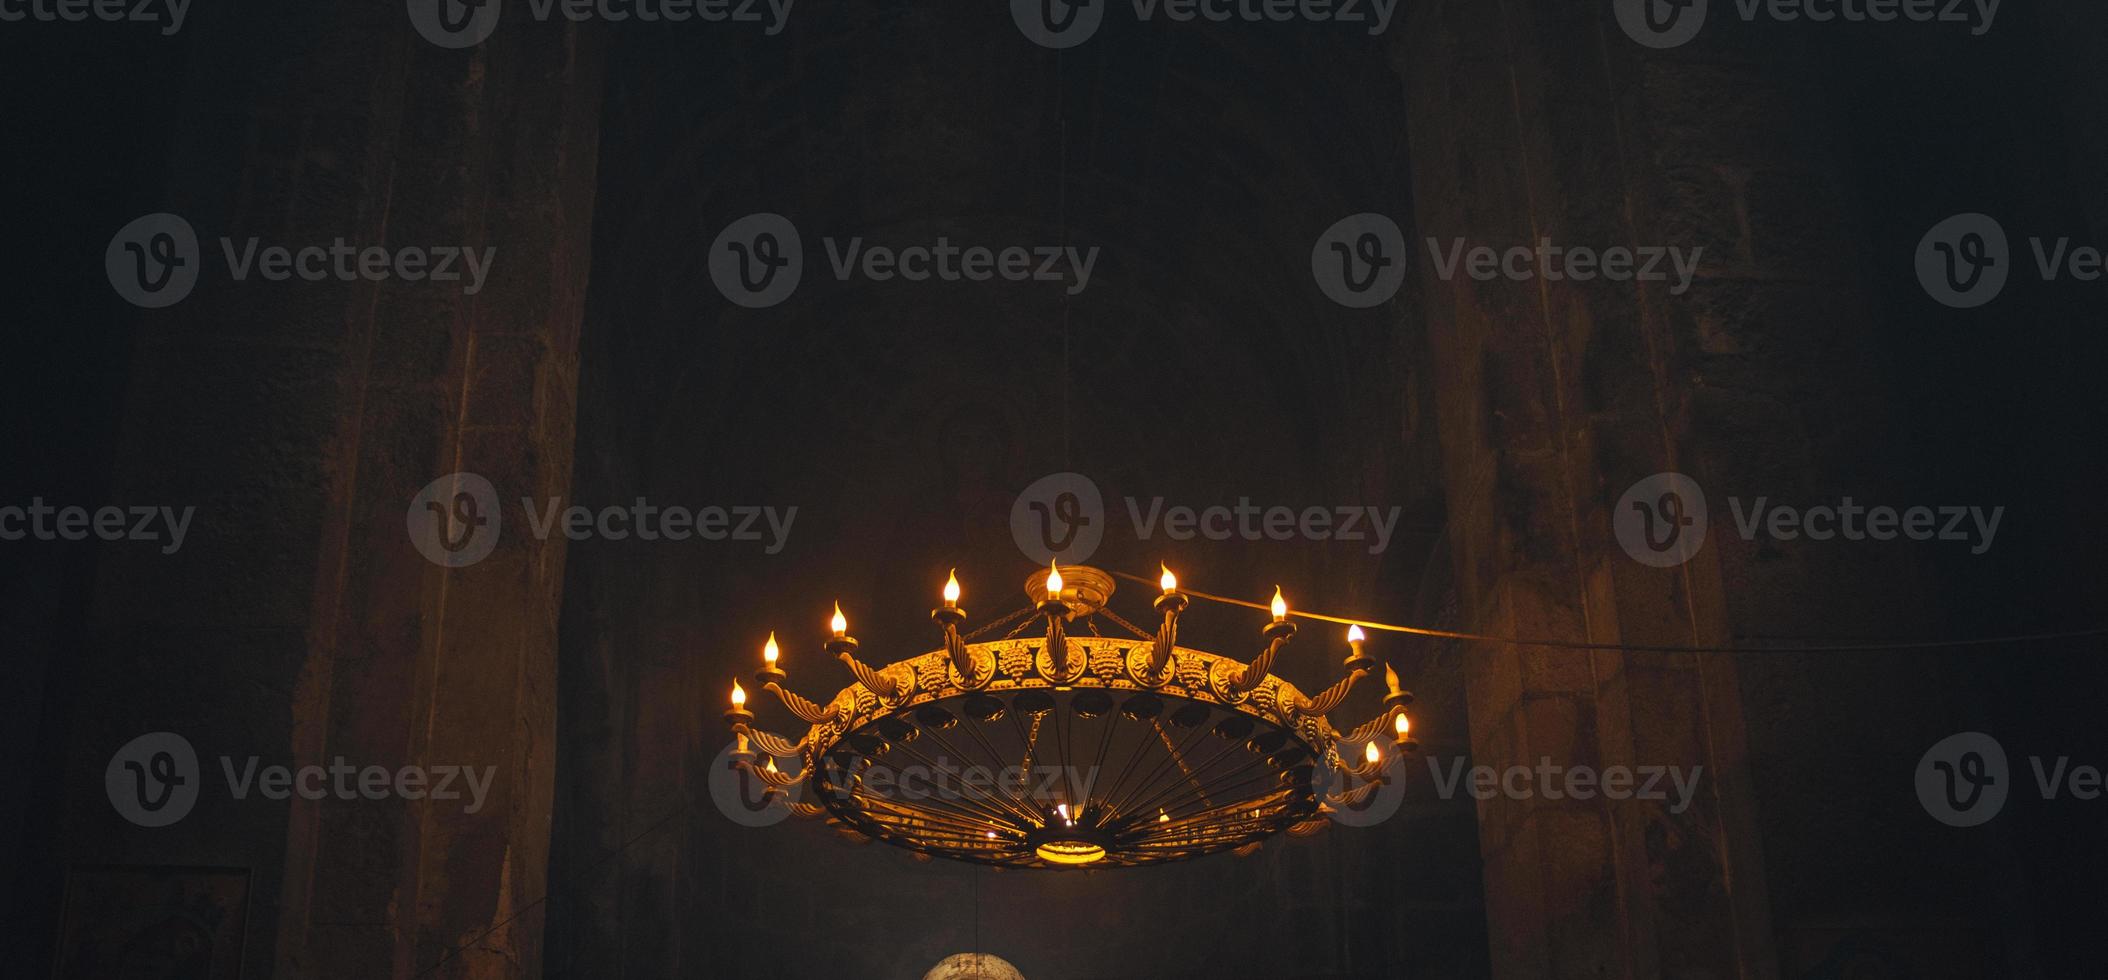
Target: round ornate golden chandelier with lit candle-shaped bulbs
[1057,749]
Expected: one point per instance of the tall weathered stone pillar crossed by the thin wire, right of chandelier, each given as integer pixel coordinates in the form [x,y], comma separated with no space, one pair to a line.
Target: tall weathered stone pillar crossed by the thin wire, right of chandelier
[1540,121]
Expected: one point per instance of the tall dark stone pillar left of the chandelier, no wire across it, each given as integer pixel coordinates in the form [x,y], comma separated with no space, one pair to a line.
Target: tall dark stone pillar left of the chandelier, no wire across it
[300,625]
